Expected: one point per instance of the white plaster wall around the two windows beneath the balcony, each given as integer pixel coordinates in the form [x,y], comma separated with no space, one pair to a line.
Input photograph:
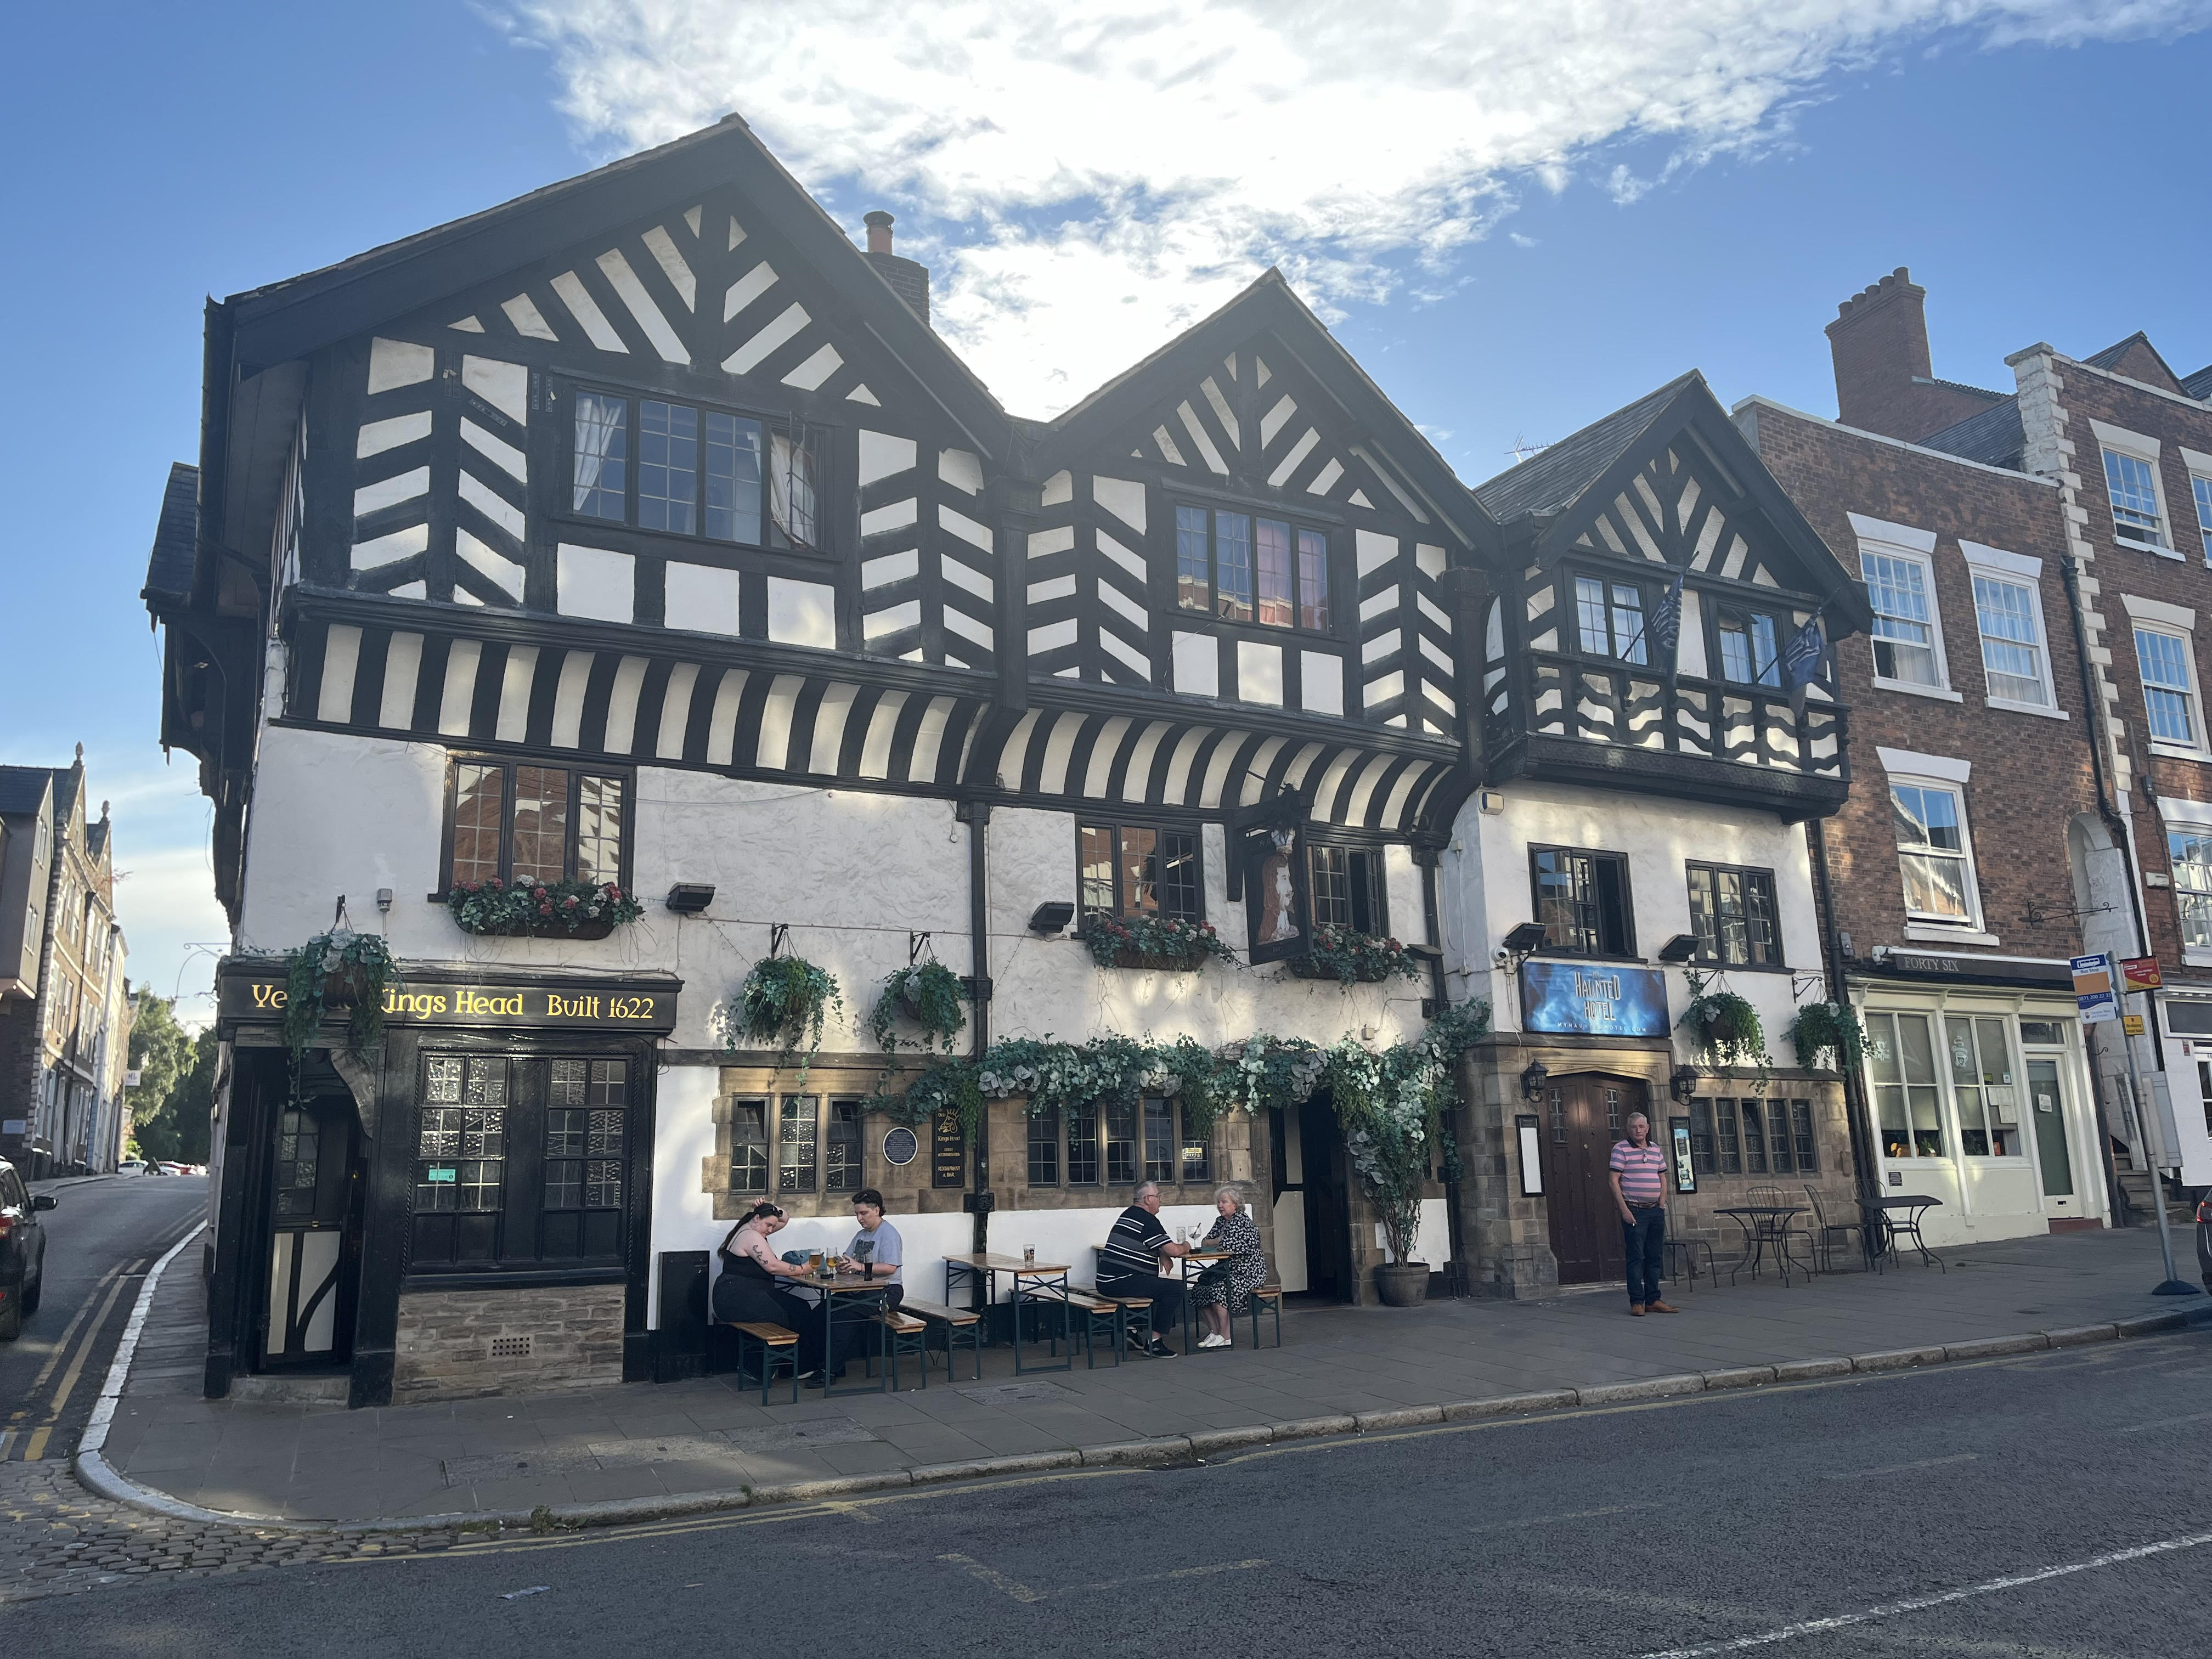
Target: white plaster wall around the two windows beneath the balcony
[1488,888]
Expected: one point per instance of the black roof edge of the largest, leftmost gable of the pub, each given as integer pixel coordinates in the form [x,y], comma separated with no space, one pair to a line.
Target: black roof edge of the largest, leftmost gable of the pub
[289,320]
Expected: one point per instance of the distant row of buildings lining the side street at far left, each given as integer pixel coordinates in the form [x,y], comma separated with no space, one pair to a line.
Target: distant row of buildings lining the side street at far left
[65,1021]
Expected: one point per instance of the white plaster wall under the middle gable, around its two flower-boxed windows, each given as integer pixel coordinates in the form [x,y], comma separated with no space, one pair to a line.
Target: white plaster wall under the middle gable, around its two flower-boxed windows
[1052,988]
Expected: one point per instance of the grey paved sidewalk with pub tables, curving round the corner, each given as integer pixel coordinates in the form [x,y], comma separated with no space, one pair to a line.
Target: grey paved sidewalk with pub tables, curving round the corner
[709,1437]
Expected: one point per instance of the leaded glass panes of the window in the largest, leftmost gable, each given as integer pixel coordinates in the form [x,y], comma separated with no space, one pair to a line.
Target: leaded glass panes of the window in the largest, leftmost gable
[691,472]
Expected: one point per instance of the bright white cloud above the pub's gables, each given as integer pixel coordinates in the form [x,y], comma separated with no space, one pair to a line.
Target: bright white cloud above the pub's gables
[1092,180]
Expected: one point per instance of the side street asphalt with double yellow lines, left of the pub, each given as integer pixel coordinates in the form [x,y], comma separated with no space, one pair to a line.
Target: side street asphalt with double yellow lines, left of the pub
[101,1242]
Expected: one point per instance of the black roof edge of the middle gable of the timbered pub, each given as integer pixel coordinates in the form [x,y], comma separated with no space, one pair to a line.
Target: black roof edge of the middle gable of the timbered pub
[1269,302]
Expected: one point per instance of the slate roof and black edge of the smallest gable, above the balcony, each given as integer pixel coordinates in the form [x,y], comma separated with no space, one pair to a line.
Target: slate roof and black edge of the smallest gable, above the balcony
[1561,490]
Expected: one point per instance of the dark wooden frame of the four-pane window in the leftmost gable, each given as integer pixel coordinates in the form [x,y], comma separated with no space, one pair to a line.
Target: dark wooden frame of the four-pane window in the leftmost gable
[822,439]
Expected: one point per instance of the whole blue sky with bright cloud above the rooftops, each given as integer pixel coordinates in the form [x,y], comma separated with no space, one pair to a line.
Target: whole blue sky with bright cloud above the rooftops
[1507,260]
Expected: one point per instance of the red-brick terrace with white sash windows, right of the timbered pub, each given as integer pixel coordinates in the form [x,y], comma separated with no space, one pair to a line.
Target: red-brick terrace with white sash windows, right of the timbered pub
[2014,831]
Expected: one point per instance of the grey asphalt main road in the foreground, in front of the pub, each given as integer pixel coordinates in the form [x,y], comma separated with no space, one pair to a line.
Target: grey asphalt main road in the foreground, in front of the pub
[1720,1523]
